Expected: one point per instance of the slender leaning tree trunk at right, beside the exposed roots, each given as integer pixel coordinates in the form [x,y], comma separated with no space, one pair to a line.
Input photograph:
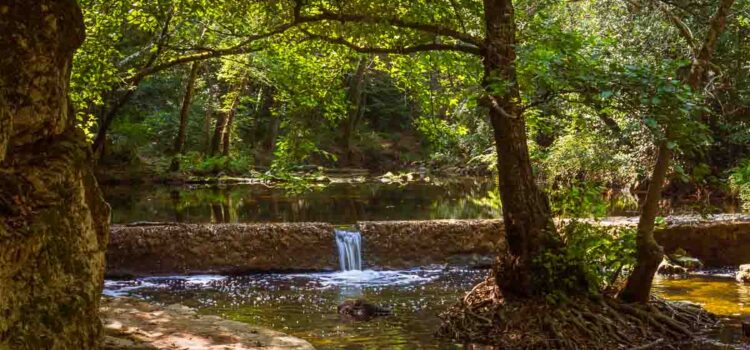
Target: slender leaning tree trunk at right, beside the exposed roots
[649,253]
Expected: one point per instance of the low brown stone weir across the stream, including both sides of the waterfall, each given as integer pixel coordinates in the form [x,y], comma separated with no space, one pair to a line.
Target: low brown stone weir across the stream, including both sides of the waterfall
[168,248]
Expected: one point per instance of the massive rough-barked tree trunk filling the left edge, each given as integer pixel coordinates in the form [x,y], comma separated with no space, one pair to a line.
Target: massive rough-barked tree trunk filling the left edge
[53,221]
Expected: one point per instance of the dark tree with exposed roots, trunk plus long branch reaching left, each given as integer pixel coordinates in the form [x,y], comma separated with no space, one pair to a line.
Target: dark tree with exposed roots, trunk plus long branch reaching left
[529,230]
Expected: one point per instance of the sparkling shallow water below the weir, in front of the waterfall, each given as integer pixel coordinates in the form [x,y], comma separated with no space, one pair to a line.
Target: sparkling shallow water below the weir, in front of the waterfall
[304,305]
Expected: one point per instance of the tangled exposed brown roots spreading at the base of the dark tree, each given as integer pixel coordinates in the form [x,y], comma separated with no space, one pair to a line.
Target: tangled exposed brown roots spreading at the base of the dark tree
[600,322]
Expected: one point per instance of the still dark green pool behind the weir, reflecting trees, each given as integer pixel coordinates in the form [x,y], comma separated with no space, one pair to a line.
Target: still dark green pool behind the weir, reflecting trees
[341,203]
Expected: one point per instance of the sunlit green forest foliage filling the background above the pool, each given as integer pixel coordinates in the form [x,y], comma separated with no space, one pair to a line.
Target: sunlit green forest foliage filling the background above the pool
[600,81]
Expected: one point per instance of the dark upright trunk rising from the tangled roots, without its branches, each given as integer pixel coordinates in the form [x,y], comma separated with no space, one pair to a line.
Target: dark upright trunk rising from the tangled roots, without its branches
[529,229]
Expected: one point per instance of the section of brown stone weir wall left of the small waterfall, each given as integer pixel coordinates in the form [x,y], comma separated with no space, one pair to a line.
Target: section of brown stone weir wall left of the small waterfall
[220,248]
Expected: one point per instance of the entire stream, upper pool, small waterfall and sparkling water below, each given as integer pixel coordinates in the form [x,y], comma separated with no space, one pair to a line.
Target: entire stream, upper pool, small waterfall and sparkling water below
[304,305]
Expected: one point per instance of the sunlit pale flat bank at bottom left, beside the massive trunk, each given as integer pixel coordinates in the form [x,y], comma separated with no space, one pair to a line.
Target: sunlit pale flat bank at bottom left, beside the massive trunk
[130,324]
